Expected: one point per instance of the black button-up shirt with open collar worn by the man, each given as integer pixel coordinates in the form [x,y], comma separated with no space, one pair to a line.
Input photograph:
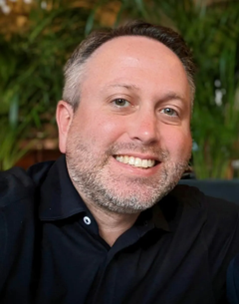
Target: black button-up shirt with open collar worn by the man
[51,251]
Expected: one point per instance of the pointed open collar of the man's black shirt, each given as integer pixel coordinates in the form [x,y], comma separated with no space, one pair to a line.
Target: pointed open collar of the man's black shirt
[59,200]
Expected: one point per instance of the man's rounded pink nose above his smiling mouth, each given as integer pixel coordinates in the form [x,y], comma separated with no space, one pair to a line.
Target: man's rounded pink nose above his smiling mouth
[143,127]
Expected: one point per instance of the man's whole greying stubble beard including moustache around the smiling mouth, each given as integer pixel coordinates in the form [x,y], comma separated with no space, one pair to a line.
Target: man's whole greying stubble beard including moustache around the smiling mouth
[98,185]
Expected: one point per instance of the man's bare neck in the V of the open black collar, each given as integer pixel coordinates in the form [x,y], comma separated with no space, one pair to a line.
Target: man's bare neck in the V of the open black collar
[111,225]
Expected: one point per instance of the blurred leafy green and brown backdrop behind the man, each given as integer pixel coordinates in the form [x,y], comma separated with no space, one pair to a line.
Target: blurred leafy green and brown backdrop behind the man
[37,37]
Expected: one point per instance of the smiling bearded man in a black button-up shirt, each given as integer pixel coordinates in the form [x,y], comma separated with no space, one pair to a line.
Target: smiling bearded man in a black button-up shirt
[102,224]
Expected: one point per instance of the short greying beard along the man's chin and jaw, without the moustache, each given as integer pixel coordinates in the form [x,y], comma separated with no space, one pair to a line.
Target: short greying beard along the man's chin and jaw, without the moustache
[92,184]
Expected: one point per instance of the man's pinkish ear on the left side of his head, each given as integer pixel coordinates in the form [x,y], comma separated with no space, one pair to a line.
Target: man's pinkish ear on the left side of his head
[64,116]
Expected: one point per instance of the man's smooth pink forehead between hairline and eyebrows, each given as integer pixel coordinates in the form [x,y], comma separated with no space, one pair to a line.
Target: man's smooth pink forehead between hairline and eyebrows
[135,60]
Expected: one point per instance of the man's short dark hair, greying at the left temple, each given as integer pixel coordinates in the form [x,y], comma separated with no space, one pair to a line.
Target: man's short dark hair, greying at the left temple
[73,69]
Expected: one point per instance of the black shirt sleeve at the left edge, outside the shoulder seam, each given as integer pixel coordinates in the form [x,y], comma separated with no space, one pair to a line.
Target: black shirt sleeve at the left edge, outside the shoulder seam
[19,194]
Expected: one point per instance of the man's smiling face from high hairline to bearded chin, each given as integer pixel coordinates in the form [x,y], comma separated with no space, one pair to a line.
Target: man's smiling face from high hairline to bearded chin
[129,141]
